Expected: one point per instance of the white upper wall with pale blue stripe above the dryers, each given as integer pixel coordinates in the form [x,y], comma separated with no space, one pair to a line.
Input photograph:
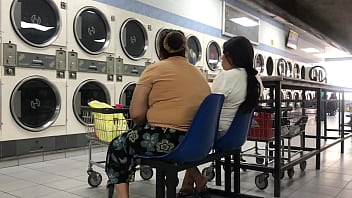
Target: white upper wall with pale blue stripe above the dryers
[207,19]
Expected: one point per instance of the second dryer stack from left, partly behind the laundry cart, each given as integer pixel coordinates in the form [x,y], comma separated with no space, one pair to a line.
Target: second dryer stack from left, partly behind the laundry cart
[91,40]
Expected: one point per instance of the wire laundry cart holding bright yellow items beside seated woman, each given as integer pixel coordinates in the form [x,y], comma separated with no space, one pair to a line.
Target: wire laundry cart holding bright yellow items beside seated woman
[102,126]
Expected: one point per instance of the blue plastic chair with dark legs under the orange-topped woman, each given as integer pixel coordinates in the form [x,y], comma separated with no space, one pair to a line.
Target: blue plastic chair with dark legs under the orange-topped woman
[195,146]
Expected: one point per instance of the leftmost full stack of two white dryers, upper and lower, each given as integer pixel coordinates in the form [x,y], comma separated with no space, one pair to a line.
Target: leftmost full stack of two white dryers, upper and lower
[33,107]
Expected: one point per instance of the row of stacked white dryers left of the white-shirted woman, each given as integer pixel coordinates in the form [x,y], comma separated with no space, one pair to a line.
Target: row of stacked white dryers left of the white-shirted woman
[58,55]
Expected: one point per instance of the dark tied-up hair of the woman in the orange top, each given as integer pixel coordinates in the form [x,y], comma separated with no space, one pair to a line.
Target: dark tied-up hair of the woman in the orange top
[172,43]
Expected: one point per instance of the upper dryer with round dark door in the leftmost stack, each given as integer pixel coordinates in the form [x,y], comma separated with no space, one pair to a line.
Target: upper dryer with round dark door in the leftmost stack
[36,26]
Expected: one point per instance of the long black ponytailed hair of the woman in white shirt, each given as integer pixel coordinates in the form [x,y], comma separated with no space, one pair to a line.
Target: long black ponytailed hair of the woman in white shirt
[240,53]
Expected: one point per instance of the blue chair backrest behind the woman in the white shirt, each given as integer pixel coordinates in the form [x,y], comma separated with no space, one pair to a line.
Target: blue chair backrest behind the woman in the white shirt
[236,135]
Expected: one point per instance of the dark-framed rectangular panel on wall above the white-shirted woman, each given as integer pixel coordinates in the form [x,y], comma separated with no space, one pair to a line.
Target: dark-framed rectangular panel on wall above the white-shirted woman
[236,22]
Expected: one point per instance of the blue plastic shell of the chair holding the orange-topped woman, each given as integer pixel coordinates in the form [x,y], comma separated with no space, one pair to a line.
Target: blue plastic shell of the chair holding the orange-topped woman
[199,139]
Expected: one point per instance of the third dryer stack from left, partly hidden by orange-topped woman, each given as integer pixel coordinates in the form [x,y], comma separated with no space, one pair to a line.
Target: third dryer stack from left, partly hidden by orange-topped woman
[133,53]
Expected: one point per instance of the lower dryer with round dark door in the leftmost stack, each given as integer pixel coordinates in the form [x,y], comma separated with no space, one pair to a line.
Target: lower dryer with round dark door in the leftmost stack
[33,99]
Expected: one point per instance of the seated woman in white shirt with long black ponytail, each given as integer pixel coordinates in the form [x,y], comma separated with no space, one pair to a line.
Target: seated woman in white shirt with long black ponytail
[240,85]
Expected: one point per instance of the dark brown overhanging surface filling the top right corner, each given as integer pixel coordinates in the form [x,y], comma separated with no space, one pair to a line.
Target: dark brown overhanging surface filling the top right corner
[328,20]
